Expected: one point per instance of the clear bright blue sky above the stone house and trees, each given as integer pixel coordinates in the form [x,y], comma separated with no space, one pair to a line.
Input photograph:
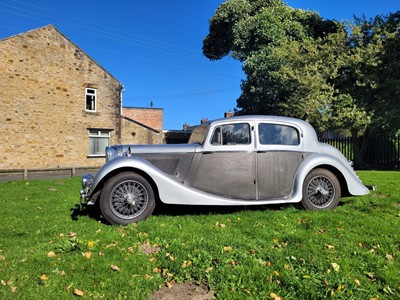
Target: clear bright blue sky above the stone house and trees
[154,47]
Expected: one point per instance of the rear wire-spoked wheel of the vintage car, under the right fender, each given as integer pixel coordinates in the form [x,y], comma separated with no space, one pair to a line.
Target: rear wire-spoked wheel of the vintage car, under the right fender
[321,190]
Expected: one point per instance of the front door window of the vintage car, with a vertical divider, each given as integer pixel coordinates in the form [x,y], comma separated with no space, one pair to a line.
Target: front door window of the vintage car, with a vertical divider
[232,134]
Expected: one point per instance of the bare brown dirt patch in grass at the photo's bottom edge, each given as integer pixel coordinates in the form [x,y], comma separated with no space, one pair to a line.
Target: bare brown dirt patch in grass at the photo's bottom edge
[183,291]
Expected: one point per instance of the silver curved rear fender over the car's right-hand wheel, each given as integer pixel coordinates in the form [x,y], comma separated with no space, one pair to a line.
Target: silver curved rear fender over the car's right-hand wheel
[354,184]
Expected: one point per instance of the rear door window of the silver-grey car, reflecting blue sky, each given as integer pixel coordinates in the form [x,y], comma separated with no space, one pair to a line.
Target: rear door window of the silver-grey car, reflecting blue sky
[272,134]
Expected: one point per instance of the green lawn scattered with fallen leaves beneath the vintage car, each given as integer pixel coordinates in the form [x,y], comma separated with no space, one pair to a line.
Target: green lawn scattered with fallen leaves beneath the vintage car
[49,249]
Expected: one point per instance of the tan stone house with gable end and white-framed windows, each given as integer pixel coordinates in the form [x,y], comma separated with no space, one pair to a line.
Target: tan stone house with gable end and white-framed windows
[58,107]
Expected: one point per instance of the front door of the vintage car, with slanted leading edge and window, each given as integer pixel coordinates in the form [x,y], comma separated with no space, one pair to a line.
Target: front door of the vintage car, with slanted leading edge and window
[227,164]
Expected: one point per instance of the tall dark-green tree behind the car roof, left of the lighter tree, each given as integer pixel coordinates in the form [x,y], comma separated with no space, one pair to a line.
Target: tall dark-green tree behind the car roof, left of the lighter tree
[249,30]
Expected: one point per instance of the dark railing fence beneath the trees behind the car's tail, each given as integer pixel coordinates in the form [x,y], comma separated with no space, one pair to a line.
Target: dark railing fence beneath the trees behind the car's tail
[381,151]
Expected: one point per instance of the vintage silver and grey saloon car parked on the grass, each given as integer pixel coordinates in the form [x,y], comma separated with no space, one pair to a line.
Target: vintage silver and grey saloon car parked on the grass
[244,160]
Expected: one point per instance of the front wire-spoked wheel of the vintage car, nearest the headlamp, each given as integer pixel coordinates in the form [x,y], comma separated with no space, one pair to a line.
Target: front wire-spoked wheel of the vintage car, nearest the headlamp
[127,198]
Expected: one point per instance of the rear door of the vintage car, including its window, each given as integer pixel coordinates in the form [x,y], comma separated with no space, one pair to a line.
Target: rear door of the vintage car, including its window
[278,156]
